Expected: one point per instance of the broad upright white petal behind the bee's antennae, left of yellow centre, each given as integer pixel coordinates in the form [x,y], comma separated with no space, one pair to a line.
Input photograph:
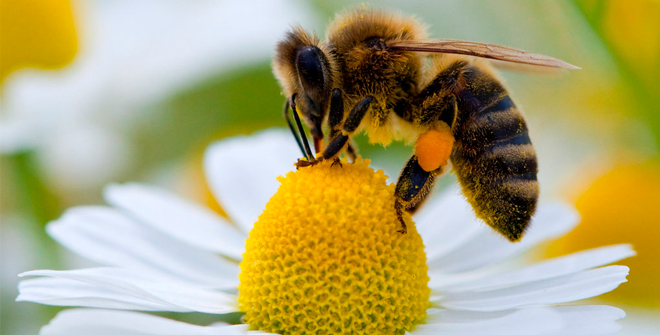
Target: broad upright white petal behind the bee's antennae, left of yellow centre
[242,172]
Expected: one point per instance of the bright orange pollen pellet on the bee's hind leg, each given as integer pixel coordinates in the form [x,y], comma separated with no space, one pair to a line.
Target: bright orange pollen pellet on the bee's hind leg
[434,147]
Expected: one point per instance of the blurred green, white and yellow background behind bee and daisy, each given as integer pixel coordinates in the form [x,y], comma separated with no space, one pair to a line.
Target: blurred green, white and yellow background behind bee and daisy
[95,92]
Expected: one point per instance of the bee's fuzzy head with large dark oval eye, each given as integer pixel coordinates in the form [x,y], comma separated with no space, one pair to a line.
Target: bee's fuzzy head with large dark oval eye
[303,66]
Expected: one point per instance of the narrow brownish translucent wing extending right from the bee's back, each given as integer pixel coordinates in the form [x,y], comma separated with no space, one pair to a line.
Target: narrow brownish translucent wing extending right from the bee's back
[476,49]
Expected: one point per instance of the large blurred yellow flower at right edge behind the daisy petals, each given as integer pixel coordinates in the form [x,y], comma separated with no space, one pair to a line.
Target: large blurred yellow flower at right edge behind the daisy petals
[623,206]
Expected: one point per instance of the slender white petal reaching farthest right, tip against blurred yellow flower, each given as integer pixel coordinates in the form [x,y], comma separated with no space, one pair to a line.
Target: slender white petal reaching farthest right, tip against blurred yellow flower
[553,268]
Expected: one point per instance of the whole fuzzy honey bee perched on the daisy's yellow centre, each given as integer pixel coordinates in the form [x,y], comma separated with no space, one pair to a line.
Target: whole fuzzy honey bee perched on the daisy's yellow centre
[377,72]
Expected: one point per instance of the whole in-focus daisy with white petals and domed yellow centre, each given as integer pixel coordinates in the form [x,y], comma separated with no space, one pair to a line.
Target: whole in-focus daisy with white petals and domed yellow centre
[323,257]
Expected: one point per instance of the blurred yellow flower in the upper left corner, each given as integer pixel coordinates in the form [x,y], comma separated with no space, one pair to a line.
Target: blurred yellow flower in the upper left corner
[36,33]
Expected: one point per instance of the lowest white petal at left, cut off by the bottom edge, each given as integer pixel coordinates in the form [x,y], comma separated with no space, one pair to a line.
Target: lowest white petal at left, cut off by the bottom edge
[102,322]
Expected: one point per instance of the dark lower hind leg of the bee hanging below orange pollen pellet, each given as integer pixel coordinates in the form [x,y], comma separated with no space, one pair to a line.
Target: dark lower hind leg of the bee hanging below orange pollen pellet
[412,187]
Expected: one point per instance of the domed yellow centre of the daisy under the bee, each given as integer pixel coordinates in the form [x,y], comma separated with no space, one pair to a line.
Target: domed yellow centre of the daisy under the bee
[325,257]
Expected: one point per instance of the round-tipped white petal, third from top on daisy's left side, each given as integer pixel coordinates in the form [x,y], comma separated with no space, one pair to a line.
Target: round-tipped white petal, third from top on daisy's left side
[111,238]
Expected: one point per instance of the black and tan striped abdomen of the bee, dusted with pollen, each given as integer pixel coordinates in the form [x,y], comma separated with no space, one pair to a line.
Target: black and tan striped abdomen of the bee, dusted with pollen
[493,156]
